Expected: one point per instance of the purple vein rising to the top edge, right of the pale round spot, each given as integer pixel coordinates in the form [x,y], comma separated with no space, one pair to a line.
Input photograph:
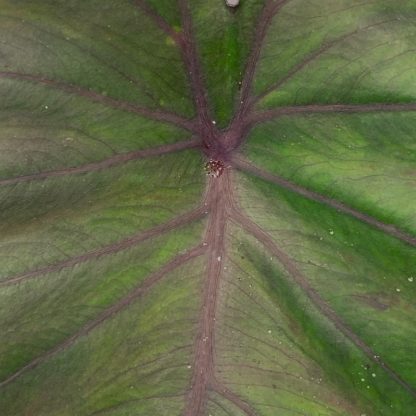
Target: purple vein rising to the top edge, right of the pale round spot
[269,12]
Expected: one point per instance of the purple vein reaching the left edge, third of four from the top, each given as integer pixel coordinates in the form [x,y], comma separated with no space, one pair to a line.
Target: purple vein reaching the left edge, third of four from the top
[109,249]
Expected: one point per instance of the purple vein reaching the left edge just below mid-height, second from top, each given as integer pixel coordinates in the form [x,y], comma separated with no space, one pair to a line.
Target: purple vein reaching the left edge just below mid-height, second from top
[111,161]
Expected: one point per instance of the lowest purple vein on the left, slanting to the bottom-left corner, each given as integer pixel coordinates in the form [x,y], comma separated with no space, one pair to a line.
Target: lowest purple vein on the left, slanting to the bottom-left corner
[153,279]
